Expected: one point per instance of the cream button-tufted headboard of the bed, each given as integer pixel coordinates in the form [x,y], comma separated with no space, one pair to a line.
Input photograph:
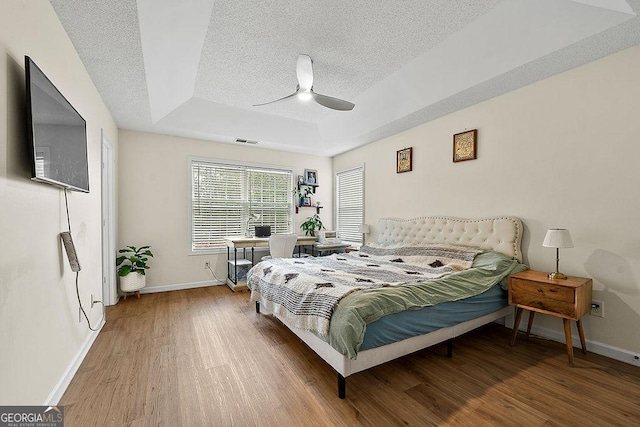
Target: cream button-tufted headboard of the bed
[499,234]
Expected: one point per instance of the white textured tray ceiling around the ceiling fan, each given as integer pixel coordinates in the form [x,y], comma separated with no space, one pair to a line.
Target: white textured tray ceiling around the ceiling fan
[195,68]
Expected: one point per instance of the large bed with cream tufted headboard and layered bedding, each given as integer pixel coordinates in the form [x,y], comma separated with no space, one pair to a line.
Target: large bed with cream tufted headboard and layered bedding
[355,319]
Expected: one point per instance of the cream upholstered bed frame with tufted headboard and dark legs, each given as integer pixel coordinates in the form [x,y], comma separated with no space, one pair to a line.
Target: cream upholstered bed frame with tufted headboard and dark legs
[500,234]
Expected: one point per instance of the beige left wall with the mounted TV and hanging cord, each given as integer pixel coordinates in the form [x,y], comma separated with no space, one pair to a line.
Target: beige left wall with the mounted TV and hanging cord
[40,335]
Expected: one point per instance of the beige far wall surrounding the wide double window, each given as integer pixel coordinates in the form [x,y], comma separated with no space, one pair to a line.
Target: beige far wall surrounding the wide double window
[154,209]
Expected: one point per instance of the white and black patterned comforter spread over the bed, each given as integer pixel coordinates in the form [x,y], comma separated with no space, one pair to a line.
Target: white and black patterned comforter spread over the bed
[304,292]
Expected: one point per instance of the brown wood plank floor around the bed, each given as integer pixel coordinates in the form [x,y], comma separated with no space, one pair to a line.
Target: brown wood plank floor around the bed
[203,357]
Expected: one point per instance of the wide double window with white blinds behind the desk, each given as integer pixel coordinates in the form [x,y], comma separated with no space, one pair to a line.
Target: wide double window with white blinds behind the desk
[230,199]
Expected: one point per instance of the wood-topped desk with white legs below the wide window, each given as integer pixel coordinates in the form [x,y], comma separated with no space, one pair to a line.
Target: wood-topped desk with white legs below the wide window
[244,242]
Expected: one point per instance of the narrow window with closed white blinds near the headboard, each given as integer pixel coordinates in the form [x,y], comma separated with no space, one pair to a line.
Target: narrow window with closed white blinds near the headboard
[350,204]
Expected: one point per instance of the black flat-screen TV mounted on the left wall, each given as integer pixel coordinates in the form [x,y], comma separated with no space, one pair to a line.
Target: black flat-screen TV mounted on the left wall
[57,134]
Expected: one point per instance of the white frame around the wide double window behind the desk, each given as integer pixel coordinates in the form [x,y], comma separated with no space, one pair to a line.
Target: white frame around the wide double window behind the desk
[191,160]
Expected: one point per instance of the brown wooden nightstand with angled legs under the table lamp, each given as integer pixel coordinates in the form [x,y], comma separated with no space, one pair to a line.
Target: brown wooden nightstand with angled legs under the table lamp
[569,299]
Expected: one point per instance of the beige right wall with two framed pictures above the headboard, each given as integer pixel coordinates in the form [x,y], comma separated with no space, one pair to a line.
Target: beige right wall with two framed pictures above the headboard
[559,153]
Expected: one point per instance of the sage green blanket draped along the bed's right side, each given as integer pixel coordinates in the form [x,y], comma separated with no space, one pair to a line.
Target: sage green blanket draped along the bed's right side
[356,310]
